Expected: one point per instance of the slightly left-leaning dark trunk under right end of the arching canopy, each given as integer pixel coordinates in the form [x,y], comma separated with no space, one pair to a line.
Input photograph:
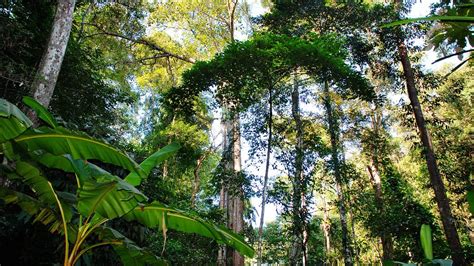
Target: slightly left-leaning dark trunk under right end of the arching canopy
[331,119]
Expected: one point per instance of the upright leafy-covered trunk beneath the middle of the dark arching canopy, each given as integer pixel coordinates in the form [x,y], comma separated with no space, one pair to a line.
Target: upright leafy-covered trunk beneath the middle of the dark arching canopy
[298,252]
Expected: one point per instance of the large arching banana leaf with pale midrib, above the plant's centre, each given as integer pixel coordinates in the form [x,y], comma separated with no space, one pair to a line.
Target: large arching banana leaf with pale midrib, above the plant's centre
[60,141]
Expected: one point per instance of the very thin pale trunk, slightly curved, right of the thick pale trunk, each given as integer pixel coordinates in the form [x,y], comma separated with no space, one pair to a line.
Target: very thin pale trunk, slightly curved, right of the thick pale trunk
[265,178]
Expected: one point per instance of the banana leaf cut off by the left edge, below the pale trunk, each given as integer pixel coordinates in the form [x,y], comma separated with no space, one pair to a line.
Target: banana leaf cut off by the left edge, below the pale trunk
[13,122]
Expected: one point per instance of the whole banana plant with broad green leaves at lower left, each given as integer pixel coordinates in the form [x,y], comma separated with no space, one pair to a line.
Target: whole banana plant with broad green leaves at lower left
[97,197]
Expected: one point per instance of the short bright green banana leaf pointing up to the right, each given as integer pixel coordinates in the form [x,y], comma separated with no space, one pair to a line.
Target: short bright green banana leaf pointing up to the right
[153,161]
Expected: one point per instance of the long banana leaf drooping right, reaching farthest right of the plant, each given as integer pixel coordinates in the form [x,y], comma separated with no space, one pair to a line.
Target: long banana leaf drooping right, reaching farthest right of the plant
[154,214]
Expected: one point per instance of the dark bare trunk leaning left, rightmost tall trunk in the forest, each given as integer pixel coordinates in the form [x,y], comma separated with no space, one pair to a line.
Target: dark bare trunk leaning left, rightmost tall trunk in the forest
[435,177]
